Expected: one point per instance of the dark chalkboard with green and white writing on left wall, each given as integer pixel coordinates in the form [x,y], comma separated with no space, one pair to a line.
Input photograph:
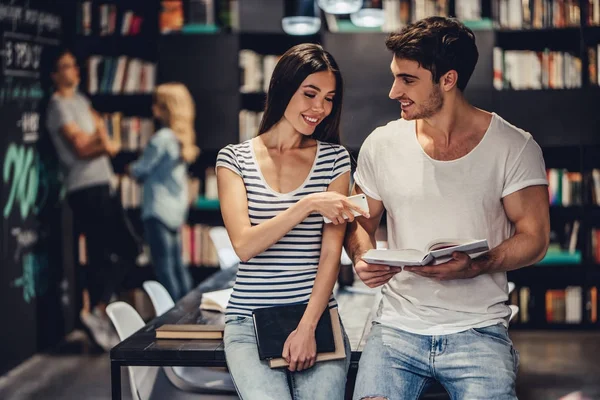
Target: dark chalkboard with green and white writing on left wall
[26,29]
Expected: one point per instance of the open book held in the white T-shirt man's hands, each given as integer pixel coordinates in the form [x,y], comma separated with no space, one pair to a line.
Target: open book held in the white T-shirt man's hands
[437,251]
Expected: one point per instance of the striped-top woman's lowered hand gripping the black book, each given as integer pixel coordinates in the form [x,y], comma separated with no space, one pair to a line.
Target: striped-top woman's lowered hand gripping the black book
[300,349]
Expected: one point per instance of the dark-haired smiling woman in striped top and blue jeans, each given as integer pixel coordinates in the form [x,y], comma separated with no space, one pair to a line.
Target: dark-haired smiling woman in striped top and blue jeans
[274,191]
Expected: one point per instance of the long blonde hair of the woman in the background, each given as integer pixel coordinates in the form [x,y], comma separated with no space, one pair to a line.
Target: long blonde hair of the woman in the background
[179,113]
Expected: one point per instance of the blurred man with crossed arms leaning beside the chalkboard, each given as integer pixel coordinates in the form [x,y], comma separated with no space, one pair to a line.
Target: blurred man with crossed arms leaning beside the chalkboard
[83,146]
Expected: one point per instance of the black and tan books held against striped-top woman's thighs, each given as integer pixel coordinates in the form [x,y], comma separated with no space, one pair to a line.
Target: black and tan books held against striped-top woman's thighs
[273,325]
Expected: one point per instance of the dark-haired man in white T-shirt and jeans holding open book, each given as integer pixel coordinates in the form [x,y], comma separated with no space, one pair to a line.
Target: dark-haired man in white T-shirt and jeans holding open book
[445,170]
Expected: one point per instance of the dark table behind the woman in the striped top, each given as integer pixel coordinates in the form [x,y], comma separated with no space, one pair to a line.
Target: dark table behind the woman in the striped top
[143,349]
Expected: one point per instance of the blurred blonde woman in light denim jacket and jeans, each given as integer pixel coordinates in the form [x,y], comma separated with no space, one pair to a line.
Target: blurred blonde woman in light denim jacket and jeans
[163,170]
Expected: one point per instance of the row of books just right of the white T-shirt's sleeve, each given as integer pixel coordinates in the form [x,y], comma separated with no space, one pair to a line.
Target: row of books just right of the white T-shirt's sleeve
[566,188]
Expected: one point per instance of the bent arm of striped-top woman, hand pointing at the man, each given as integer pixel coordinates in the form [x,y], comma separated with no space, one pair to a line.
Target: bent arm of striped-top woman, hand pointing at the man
[249,241]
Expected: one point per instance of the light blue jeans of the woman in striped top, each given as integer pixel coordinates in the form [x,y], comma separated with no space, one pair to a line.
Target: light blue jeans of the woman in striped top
[255,380]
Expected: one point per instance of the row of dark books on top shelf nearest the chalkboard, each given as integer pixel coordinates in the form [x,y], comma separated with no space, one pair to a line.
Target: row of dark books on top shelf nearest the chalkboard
[111,20]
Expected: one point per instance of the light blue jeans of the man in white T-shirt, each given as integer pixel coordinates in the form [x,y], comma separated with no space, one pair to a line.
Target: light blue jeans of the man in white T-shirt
[479,363]
